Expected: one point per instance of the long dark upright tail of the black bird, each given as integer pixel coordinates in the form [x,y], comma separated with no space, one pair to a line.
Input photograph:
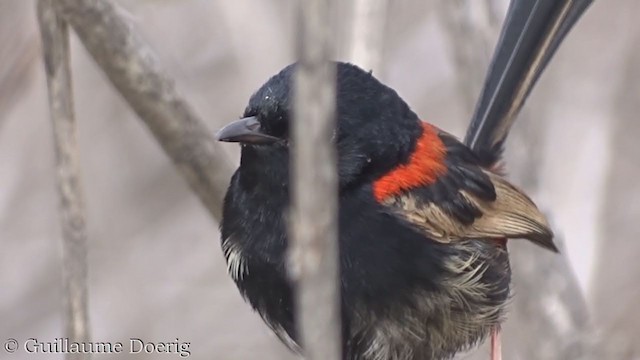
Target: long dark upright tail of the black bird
[532,31]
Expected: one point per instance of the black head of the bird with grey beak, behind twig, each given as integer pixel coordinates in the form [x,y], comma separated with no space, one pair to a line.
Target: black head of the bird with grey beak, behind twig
[375,128]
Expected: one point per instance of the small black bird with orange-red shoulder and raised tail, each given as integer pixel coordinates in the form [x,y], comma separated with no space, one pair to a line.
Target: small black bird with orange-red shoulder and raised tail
[423,218]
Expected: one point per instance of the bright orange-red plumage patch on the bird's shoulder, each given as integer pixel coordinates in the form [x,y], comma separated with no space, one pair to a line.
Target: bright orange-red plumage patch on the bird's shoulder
[425,165]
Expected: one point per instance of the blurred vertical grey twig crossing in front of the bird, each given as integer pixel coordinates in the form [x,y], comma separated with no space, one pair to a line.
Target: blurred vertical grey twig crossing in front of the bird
[314,251]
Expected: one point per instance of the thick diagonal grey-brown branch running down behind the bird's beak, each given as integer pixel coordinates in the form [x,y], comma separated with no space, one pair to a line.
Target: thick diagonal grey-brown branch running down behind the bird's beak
[135,71]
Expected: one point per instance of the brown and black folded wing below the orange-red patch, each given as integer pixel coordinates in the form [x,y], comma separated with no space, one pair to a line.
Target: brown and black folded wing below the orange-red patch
[469,202]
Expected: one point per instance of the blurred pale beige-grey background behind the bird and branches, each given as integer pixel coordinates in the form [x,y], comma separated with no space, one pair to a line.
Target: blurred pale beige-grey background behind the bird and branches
[156,271]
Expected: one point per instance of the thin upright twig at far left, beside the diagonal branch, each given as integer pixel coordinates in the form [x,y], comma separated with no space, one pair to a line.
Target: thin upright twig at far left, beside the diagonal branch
[55,43]
